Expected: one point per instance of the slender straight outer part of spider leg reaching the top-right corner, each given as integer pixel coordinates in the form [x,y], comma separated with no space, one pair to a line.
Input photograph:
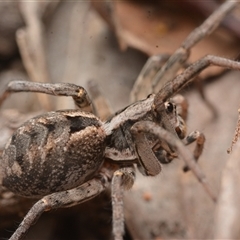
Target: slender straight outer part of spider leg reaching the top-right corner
[177,60]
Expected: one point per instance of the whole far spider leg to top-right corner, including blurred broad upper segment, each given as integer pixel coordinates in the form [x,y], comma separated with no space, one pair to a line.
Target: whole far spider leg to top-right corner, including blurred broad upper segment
[160,69]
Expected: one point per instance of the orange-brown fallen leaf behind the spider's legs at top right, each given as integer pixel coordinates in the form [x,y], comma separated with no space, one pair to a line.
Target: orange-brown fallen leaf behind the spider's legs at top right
[158,28]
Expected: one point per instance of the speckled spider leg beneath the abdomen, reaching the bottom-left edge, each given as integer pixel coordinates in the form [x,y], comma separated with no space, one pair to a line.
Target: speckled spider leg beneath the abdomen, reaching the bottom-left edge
[62,199]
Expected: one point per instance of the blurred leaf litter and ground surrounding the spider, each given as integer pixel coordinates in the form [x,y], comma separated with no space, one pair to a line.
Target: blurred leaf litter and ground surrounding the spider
[109,42]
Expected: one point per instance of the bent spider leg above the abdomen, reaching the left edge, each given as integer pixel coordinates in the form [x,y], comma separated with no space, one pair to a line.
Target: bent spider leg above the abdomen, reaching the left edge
[78,93]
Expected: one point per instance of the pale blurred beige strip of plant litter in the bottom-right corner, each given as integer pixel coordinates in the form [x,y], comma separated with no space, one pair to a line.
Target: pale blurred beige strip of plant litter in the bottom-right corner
[228,210]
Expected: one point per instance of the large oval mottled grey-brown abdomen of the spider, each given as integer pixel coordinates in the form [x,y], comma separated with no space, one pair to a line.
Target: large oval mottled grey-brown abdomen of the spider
[53,152]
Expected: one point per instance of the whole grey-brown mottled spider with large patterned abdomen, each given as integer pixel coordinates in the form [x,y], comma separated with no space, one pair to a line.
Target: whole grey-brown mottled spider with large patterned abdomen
[70,156]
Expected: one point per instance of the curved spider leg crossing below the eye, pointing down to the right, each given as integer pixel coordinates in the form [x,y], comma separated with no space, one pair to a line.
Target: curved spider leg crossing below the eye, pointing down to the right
[178,145]
